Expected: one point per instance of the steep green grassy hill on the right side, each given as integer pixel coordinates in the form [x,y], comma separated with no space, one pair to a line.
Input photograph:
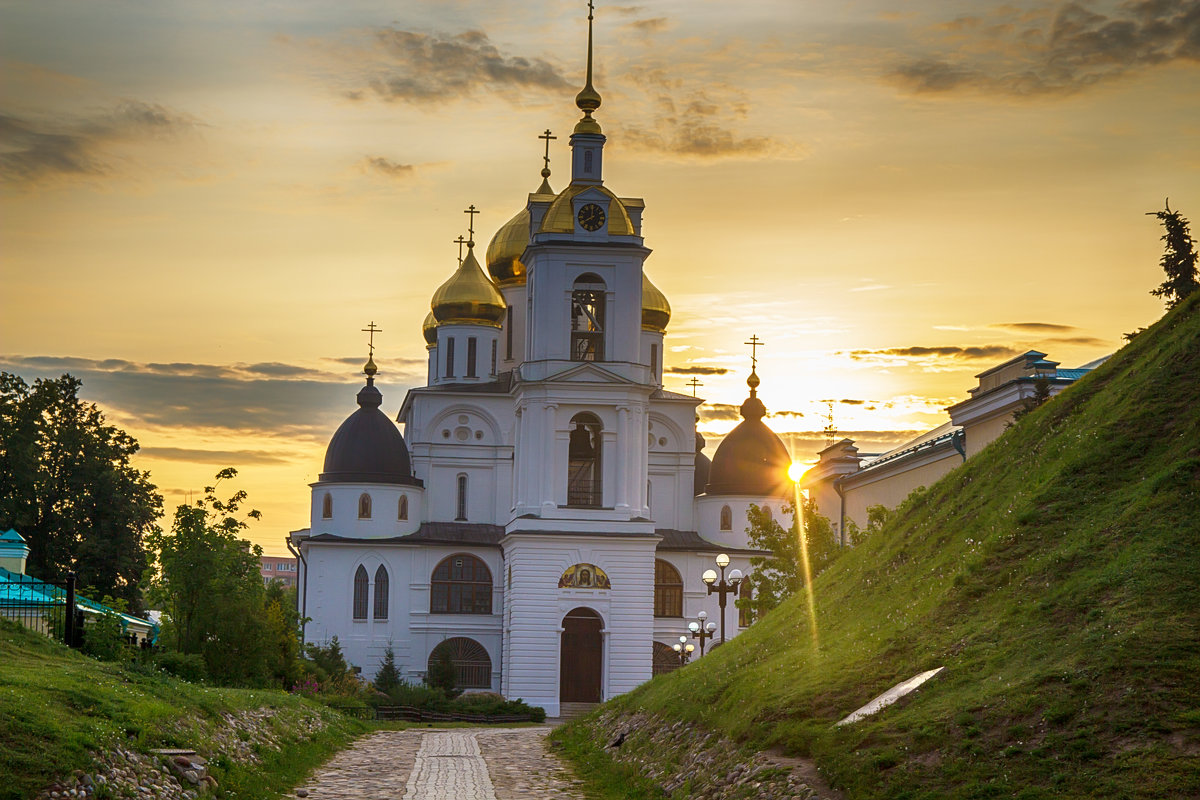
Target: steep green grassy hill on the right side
[1057,576]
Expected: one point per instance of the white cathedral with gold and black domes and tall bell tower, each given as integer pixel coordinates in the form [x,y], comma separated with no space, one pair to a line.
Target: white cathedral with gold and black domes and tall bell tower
[548,515]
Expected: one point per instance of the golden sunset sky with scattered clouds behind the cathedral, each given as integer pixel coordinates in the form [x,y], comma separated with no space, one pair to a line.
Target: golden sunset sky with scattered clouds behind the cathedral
[205,203]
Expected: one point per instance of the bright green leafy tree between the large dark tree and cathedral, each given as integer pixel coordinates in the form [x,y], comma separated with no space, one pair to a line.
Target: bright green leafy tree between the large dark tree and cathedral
[209,582]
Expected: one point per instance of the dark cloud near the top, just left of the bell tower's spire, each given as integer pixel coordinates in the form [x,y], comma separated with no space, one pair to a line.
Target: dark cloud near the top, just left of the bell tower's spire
[440,68]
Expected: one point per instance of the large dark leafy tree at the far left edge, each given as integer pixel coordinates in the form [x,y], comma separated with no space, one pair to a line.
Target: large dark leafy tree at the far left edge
[68,486]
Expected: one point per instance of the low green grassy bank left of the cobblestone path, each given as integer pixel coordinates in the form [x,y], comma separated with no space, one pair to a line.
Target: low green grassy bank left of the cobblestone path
[58,708]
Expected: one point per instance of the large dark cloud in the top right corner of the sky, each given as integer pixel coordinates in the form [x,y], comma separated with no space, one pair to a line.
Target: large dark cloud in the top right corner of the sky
[1063,53]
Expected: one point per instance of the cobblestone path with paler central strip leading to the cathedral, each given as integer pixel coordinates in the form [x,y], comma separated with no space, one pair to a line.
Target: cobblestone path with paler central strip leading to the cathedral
[457,765]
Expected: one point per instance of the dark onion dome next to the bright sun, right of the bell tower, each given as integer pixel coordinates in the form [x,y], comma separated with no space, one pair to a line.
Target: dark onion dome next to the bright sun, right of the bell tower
[752,460]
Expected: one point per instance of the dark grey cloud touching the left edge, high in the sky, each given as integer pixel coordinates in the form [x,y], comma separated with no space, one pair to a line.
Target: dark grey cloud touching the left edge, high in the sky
[44,149]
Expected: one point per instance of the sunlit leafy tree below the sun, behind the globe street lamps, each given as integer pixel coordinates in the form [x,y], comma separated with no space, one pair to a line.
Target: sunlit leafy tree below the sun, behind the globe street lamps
[782,574]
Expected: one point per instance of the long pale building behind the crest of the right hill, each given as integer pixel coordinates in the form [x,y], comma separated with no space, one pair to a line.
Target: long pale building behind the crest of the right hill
[844,484]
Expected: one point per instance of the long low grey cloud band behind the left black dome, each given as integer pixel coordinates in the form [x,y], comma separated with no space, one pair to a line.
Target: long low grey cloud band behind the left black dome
[272,399]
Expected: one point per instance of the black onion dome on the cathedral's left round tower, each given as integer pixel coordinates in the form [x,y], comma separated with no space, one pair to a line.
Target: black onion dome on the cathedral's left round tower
[368,448]
